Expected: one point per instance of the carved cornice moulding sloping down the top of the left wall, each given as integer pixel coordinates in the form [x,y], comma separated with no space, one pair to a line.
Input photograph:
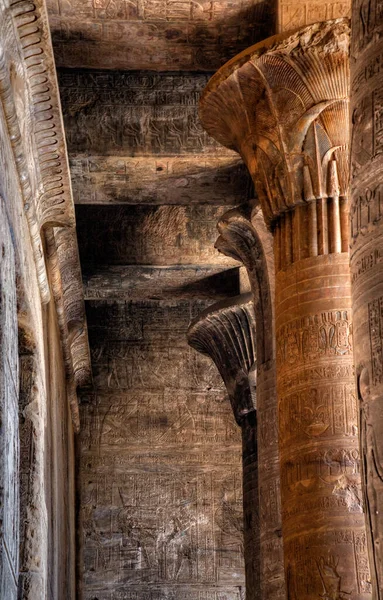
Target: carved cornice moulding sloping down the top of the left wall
[30,102]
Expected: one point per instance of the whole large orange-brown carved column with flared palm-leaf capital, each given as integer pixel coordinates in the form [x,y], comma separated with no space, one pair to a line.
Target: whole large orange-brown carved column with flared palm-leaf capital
[283,104]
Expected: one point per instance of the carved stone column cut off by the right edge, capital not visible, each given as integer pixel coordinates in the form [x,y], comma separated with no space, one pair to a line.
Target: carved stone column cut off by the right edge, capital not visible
[366,245]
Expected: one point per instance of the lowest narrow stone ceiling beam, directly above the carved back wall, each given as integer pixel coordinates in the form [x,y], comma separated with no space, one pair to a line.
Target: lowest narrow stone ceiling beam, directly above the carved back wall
[146,283]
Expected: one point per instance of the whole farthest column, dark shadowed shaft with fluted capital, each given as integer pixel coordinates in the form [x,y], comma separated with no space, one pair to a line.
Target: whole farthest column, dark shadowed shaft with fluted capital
[226,333]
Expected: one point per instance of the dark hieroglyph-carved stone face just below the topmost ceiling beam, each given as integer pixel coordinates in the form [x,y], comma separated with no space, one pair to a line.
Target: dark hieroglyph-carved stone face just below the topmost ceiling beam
[133,113]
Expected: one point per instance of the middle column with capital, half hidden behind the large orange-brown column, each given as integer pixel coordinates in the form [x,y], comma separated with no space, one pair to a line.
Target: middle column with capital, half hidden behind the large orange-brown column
[243,235]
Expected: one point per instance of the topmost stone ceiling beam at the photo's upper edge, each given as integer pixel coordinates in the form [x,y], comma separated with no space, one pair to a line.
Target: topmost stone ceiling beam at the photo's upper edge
[163,35]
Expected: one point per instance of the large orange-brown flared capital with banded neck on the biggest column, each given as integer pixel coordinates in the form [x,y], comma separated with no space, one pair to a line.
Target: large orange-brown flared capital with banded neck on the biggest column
[283,105]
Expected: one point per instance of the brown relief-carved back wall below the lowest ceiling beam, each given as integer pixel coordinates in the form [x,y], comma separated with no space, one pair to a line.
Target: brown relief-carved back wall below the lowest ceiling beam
[161,484]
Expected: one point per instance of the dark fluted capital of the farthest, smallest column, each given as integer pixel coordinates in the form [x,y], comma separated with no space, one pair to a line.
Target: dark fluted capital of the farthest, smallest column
[226,333]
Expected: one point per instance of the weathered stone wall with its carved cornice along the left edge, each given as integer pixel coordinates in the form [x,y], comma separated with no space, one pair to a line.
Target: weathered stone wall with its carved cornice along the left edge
[36,203]
